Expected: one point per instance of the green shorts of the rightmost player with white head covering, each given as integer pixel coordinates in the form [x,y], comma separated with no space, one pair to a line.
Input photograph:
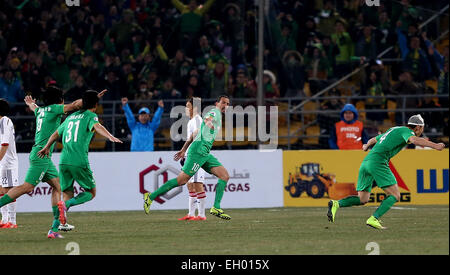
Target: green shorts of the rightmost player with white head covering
[372,170]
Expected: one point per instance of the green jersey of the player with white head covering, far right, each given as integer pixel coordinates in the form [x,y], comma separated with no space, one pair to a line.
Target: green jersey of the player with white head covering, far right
[390,143]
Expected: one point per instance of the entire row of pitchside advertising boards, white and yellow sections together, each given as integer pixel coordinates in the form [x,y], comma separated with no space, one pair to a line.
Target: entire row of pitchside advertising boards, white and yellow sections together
[257,179]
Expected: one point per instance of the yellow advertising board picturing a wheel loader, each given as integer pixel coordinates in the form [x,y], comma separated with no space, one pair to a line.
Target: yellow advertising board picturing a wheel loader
[311,178]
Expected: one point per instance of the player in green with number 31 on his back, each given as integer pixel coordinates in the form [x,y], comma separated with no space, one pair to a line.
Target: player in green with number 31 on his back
[77,132]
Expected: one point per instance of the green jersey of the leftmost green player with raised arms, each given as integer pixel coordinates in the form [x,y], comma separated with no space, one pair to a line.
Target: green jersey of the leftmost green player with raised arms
[47,121]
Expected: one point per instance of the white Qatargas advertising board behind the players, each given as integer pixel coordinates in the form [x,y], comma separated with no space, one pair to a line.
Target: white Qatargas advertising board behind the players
[122,177]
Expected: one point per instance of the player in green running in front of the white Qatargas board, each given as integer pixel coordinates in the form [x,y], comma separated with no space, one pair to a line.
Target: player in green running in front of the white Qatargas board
[199,157]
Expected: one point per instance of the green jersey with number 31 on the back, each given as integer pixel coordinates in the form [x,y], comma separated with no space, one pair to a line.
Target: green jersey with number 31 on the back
[76,132]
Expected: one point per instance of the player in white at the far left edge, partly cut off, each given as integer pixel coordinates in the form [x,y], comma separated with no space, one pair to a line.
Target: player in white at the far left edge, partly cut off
[9,165]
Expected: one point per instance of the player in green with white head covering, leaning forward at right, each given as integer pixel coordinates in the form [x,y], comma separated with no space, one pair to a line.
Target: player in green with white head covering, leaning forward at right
[375,168]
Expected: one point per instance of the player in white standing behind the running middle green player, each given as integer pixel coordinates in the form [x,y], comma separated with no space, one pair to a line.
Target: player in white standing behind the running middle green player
[197,195]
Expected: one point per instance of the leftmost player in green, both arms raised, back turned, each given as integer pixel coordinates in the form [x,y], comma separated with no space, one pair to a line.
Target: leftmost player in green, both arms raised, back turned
[48,118]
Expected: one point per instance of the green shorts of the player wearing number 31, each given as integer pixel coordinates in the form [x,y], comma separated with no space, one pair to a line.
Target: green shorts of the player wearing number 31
[68,174]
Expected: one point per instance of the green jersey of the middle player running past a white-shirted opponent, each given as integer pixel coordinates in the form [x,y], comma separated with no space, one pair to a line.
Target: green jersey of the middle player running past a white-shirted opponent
[205,137]
